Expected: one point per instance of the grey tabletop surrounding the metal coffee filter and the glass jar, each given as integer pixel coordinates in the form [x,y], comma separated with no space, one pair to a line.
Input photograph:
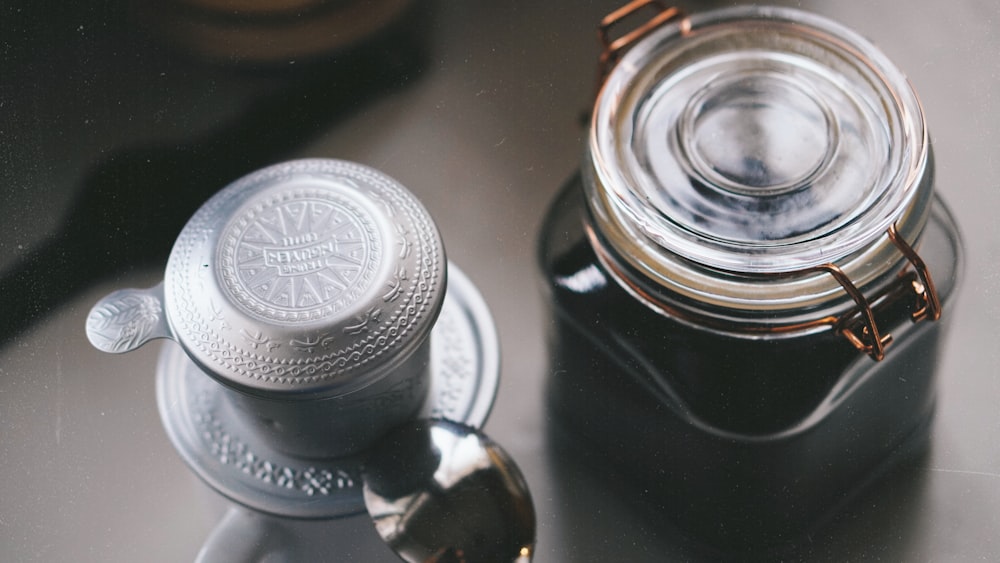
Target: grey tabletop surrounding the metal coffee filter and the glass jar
[118,118]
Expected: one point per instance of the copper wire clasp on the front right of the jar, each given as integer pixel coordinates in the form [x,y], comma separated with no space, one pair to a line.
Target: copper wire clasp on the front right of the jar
[869,339]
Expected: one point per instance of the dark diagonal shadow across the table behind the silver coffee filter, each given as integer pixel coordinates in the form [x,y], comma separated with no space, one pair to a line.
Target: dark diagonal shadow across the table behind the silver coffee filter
[129,207]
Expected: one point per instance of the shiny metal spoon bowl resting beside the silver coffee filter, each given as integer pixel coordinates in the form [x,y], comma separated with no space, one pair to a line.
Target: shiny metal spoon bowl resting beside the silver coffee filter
[442,492]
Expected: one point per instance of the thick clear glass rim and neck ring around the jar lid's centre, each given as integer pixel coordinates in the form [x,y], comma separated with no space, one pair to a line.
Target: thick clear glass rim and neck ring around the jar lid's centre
[751,274]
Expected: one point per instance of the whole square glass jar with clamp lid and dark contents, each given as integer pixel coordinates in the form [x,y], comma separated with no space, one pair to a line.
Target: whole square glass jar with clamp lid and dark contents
[743,315]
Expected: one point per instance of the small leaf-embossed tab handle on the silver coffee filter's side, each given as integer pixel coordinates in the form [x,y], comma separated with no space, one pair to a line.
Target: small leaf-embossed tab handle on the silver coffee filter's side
[128,318]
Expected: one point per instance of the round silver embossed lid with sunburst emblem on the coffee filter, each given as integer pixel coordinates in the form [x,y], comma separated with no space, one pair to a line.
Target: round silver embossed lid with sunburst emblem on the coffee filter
[311,277]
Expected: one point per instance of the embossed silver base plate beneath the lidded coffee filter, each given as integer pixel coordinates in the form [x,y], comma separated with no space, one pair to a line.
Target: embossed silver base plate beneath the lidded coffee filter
[212,440]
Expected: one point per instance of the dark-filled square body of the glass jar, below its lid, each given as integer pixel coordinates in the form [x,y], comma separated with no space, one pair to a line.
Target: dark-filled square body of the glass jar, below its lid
[745,443]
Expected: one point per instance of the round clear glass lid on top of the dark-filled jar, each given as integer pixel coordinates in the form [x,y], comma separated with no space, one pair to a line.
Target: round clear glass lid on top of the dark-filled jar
[754,140]
